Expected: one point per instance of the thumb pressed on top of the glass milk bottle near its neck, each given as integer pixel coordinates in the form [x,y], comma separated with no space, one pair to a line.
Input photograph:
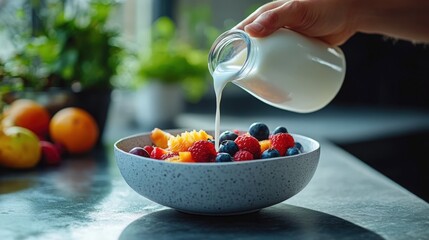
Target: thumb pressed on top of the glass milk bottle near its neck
[292,14]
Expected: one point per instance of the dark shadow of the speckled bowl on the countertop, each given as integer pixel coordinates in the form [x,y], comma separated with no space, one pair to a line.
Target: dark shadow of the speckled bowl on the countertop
[282,221]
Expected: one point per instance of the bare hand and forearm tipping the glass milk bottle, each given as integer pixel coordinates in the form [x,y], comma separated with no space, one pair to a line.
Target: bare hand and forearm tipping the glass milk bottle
[335,21]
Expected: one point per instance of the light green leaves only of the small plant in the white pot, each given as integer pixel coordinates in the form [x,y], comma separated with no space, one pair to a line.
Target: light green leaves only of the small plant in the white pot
[172,60]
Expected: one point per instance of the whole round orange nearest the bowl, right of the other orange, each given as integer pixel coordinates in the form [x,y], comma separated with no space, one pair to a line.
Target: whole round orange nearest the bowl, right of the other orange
[75,129]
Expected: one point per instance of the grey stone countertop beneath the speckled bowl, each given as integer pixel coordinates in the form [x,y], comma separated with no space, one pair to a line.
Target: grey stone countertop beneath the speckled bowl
[86,197]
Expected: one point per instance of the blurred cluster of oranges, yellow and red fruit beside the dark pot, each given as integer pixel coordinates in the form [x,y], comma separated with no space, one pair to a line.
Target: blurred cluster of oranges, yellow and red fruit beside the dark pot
[31,136]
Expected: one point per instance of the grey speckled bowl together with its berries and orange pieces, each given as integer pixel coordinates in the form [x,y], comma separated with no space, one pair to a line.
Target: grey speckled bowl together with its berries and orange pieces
[201,181]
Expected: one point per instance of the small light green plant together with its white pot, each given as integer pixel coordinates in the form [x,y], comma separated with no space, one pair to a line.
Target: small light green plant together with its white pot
[169,72]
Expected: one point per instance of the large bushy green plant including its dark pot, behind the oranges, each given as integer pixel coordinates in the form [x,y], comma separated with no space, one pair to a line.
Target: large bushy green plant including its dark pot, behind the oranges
[69,51]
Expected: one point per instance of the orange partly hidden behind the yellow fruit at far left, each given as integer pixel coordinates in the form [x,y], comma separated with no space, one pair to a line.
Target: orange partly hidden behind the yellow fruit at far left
[28,114]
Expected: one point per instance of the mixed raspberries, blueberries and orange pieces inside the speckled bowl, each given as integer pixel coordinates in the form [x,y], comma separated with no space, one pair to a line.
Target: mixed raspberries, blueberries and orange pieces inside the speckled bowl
[199,146]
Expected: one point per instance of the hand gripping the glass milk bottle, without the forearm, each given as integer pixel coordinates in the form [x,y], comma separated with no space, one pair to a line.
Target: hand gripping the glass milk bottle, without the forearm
[329,20]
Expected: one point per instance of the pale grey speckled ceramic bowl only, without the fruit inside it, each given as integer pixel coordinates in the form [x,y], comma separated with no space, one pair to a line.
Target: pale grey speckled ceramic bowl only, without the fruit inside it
[217,188]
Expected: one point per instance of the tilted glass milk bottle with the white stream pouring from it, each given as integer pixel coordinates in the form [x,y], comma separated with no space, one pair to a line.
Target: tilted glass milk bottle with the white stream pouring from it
[285,70]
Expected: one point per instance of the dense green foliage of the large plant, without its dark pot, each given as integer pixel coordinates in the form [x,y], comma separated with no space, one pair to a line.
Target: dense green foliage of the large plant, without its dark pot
[75,50]
